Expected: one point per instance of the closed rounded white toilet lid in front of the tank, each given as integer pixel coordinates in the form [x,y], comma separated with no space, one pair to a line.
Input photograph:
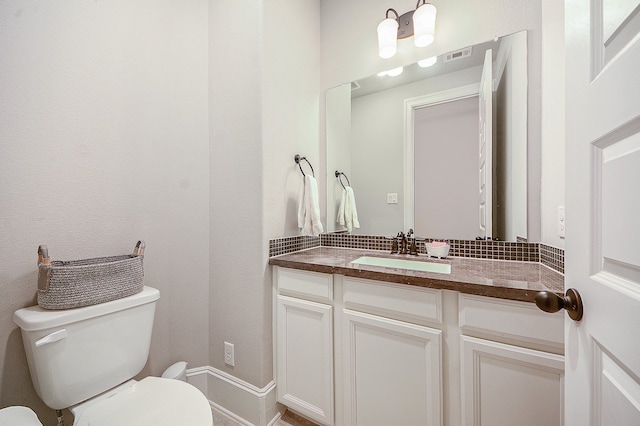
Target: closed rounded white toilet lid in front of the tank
[151,401]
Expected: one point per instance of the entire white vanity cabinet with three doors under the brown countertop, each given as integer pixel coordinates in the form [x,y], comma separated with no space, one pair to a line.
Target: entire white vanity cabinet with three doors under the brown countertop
[351,351]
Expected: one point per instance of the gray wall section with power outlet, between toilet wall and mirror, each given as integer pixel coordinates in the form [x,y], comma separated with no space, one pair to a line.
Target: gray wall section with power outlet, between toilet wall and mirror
[264,89]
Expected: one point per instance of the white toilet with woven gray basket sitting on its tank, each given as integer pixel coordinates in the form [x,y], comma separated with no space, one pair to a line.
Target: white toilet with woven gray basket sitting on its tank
[84,359]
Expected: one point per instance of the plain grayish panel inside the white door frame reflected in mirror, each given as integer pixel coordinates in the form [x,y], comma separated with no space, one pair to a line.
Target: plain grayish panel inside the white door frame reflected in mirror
[445,169]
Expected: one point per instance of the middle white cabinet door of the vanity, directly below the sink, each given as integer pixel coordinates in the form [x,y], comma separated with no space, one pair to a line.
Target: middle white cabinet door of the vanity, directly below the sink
[392,372]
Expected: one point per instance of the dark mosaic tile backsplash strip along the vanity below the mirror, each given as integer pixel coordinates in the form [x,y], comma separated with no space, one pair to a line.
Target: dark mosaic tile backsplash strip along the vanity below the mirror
[498,250]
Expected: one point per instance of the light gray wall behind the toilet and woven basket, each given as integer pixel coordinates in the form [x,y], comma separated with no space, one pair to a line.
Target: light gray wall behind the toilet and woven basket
[104,140]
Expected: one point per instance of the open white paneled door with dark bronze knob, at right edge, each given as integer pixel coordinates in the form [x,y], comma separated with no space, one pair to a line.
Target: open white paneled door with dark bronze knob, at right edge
[603,211]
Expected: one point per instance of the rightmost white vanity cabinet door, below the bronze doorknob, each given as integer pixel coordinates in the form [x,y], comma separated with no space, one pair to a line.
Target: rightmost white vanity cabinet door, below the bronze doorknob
[509,385]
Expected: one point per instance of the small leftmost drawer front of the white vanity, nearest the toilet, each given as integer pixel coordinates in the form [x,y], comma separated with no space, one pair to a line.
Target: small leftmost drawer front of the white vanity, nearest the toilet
[305,284]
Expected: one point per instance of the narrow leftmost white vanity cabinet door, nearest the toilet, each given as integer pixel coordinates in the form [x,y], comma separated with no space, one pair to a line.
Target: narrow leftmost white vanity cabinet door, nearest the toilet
[305,357]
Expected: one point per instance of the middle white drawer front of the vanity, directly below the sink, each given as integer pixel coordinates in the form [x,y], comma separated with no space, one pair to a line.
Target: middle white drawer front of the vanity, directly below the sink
[399,301]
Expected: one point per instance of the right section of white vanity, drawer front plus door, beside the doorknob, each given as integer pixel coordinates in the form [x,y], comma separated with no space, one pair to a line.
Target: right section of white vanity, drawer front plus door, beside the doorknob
[512,367]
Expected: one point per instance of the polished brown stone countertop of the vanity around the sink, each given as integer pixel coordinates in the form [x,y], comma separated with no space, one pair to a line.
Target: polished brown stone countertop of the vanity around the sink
[494,278]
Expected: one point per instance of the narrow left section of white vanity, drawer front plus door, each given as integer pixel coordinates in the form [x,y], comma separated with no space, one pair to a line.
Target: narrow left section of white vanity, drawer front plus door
[304,343]
